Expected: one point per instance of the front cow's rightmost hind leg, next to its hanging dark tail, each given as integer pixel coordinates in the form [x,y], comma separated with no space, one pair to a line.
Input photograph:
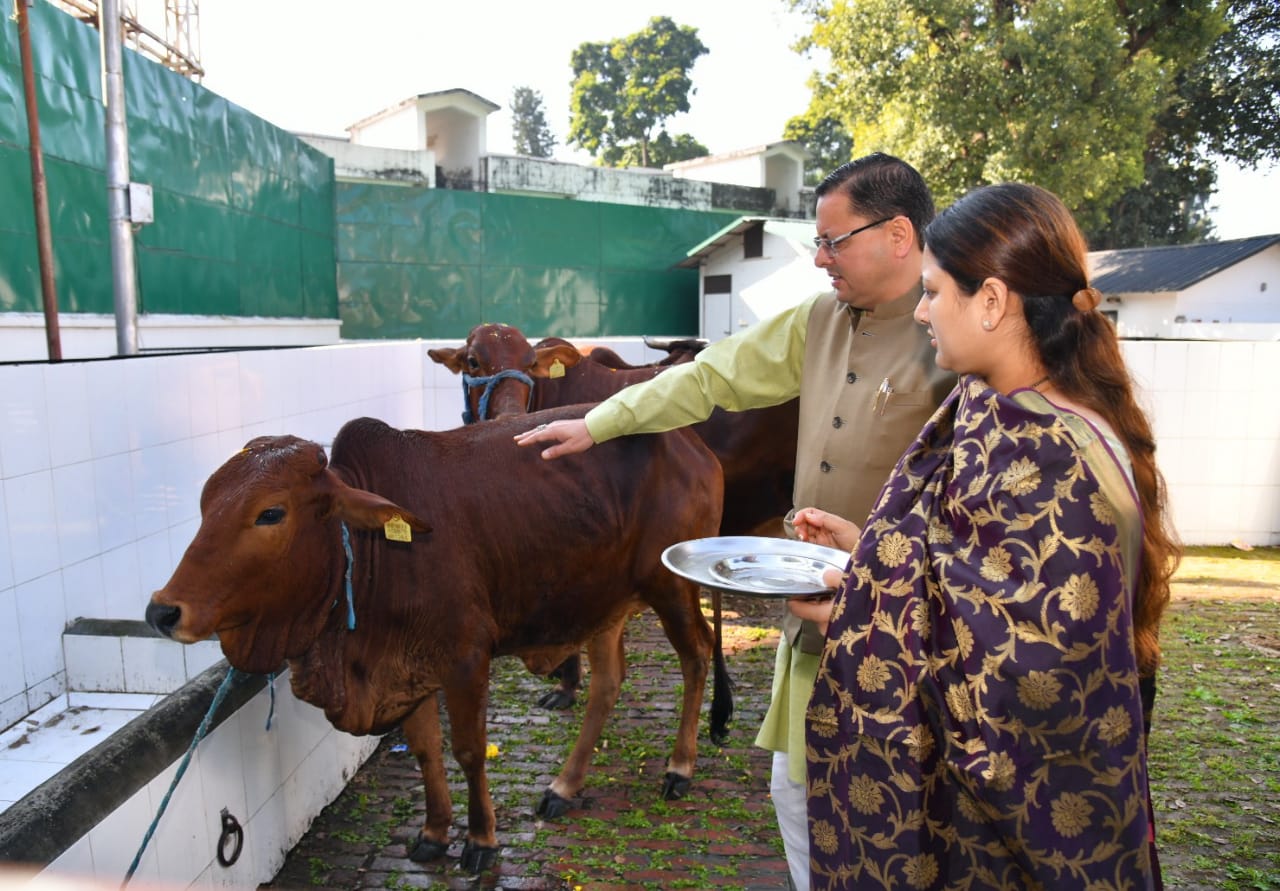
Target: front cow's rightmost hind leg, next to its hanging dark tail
[692,638]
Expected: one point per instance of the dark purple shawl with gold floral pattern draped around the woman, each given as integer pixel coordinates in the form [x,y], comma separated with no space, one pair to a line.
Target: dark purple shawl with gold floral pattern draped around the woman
[976,721]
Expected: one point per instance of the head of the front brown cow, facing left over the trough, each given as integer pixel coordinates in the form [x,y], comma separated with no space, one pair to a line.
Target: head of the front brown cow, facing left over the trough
[268,559]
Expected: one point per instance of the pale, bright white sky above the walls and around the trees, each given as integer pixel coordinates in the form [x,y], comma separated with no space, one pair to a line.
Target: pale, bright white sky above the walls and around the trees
[319,66]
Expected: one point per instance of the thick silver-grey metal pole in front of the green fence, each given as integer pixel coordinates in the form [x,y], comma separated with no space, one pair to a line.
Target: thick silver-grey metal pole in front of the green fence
[124,281]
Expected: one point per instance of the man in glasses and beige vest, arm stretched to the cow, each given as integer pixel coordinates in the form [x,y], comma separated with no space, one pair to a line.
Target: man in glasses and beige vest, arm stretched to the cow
[867,382]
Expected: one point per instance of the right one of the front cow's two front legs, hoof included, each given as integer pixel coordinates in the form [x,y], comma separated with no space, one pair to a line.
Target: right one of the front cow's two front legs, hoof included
[468,701]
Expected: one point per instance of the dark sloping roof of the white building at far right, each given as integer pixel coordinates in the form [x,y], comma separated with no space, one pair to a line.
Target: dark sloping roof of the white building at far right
[1172,268]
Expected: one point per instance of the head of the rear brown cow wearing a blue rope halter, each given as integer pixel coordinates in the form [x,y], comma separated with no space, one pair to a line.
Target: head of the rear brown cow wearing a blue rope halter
[499,368]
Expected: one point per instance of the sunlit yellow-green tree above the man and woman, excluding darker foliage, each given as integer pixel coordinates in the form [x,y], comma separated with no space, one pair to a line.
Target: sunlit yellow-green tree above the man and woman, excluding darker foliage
[1067,95]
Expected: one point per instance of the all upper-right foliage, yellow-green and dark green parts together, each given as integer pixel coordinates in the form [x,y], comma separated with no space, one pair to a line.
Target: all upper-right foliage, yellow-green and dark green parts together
[1105,103]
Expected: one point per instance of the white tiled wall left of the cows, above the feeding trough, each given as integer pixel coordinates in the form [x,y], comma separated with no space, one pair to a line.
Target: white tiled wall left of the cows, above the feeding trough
[102,464]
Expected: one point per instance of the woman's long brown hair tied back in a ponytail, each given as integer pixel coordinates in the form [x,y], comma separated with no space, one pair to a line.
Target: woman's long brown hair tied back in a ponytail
[1026,237]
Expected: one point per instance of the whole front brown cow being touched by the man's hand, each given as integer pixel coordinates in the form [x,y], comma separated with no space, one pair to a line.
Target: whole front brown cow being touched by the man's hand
[510,556]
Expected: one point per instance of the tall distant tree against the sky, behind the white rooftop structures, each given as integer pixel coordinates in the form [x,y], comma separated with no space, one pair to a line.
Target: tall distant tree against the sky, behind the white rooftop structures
[625,90]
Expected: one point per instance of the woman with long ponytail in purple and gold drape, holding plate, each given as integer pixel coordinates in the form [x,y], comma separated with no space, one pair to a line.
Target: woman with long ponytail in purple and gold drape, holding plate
[979,718]
